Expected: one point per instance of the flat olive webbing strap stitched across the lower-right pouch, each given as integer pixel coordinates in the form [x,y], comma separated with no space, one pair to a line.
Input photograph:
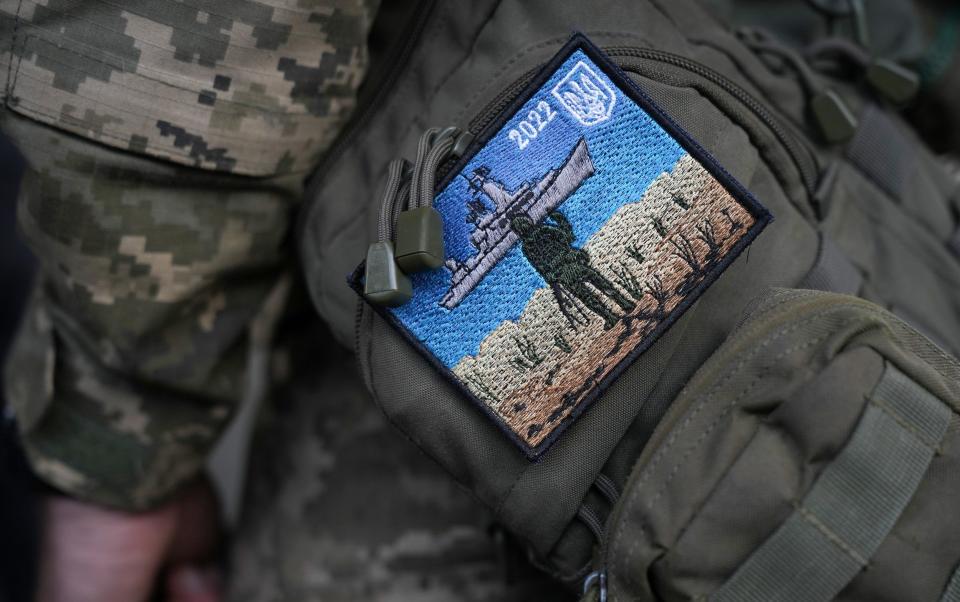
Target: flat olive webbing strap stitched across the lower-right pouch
[853,505]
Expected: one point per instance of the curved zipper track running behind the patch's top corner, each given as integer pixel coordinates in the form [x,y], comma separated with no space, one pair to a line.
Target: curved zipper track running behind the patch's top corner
[800,152]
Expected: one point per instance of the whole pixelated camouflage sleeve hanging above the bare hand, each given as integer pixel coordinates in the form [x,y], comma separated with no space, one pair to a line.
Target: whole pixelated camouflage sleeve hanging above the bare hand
[133,354]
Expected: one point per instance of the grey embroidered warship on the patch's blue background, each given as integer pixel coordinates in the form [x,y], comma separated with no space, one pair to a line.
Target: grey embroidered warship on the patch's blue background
[492,235]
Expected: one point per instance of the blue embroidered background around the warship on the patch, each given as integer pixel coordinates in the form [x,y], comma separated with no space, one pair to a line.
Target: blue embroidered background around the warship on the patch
[629,151]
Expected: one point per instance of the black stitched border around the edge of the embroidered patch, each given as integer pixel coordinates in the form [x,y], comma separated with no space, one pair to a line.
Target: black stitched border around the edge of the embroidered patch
[628,87]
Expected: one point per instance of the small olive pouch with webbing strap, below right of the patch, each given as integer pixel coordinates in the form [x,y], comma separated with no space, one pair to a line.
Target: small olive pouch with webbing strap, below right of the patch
[815,456]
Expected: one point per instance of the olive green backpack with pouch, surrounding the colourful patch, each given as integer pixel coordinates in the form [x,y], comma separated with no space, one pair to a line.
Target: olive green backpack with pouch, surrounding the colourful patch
[792,435]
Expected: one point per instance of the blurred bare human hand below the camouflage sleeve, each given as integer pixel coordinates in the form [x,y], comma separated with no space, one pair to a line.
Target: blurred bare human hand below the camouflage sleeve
[95,554]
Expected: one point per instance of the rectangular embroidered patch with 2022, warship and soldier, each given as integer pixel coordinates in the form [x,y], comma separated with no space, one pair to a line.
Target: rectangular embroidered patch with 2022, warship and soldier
[580,226]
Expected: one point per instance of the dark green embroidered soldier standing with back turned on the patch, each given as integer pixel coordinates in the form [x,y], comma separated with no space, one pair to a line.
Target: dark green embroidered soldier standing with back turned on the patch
[567,269]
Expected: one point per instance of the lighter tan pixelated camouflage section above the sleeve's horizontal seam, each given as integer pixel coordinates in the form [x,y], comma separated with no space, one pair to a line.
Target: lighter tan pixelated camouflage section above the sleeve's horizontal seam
[246,86]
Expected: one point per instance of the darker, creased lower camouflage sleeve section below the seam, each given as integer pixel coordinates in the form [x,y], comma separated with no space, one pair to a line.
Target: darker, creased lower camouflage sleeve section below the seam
[132,354]
